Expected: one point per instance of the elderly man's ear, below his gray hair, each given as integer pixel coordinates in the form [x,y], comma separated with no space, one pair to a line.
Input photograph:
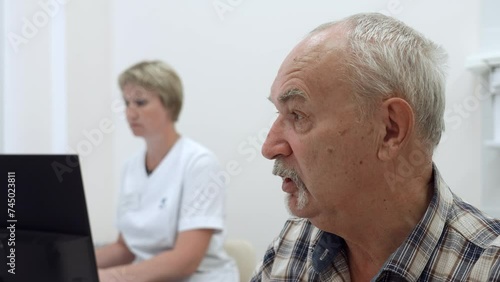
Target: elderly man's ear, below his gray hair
[398,122]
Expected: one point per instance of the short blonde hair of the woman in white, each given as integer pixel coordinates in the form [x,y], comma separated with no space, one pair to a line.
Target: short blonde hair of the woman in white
[160,78]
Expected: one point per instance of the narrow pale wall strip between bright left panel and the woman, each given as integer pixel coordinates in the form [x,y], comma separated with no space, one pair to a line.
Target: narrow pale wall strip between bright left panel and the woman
[90,118]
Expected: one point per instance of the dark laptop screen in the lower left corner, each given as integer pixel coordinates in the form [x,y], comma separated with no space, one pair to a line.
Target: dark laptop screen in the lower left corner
[45,232]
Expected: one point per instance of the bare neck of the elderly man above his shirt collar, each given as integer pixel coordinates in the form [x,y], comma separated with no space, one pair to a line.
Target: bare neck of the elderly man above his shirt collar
[375,236]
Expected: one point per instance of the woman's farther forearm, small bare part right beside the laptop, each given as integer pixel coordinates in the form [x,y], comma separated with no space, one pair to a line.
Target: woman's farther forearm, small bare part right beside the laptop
[114,254]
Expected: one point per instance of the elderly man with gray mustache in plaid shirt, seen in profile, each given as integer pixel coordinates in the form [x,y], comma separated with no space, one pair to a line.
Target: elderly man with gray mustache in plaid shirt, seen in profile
[361,105]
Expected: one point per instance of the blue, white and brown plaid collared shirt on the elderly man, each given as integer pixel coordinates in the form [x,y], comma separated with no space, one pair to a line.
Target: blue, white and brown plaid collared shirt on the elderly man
[453,242]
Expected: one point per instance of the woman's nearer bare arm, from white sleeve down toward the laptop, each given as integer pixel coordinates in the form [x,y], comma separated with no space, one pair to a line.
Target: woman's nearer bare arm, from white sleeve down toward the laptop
[177,263]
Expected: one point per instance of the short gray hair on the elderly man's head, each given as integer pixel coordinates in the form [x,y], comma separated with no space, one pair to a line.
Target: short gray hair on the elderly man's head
[386,58]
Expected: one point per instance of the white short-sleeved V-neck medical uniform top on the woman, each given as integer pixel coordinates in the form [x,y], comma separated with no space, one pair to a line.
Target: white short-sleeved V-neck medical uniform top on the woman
[184,192]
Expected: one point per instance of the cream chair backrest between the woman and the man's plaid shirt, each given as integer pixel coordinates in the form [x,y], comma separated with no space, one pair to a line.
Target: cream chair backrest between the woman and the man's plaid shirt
[243,252]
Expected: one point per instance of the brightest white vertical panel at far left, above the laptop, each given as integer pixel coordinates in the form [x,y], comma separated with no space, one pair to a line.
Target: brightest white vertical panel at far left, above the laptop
[27,81]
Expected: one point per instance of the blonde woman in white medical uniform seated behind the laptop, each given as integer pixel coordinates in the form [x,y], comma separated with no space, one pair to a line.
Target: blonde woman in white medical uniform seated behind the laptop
[170,209]
